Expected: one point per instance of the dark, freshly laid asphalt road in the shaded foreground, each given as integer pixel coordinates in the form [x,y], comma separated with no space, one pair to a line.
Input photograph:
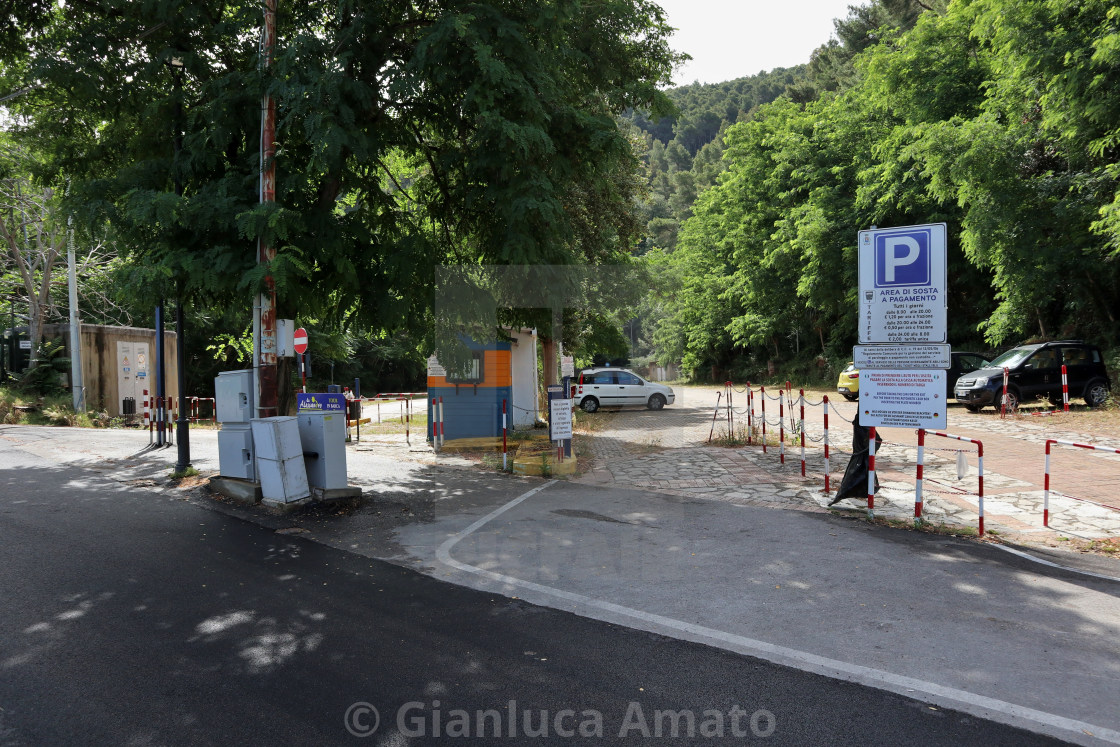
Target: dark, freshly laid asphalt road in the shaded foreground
[130,618]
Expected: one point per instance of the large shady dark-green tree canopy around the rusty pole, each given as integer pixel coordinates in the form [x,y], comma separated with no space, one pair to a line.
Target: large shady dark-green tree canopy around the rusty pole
[410,135]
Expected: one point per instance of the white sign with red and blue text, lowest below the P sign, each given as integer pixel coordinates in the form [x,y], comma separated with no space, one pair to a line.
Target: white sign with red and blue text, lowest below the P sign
[903,399]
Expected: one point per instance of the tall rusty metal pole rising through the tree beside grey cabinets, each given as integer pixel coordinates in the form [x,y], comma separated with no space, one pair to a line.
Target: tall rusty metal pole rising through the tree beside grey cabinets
[266,343]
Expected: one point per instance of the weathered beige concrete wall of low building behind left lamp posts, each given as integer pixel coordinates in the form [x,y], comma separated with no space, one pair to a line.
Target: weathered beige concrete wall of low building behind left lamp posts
[101,370]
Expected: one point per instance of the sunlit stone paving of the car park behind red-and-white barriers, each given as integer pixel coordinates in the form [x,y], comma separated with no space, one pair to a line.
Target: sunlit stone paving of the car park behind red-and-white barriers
[684,465]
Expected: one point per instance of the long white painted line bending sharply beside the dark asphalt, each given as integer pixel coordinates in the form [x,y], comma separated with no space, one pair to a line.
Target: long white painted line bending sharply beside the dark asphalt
[982,706]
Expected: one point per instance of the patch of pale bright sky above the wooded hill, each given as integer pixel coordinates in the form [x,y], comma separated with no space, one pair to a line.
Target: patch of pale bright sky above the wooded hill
[734,39]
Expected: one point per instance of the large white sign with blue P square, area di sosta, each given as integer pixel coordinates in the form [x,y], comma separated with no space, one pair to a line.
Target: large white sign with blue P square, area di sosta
[902,285]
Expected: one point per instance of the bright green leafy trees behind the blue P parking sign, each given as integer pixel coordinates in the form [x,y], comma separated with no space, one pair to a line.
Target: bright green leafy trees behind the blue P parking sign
[1000,119]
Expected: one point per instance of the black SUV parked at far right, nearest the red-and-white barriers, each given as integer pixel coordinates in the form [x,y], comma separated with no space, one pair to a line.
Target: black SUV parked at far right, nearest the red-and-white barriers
[1035,371]
